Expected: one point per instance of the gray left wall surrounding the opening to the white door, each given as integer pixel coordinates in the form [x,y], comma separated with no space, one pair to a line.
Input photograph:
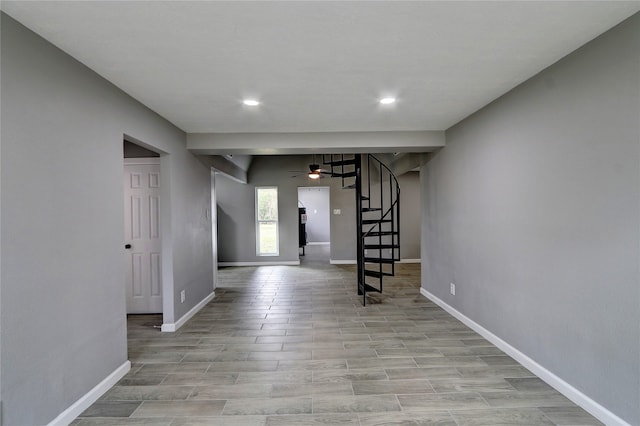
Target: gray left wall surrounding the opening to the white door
[63,302]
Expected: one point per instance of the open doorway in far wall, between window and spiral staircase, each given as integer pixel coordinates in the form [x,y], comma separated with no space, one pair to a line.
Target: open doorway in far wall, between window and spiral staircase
[315,232]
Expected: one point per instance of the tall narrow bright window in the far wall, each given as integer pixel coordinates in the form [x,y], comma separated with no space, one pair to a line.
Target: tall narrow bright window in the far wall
[267,221]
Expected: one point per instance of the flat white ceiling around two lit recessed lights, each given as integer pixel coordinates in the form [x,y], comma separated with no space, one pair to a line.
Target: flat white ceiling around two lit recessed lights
[317,66]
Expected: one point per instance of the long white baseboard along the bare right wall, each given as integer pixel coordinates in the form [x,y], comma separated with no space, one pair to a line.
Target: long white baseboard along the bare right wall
[579,398]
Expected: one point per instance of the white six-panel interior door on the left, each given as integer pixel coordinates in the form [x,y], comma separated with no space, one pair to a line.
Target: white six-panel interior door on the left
[142,235]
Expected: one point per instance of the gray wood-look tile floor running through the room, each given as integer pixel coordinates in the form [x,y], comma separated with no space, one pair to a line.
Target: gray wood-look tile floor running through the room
[287,345]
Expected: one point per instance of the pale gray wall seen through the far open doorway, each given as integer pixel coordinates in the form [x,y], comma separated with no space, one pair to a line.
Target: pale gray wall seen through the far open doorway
[317,202]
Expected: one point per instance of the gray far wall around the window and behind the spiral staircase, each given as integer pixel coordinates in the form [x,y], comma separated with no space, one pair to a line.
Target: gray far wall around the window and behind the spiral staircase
[236,214]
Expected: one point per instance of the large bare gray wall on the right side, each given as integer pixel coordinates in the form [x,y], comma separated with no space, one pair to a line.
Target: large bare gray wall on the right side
[532,210]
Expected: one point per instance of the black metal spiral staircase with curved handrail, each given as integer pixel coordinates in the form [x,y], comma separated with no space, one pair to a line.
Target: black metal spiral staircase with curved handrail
[377,213]
